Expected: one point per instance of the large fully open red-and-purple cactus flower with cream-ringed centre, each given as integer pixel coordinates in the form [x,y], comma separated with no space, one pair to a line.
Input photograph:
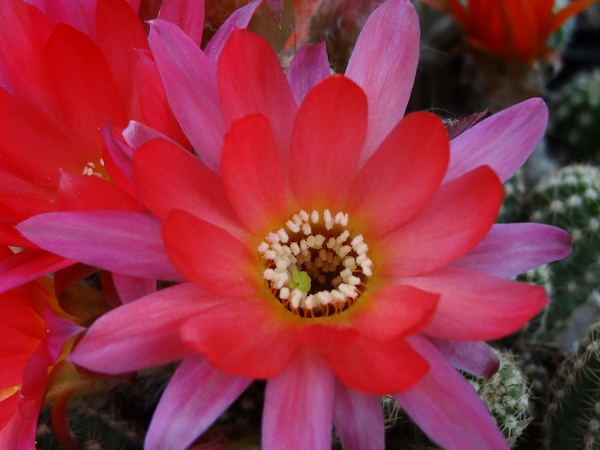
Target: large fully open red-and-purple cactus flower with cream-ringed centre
[329,245]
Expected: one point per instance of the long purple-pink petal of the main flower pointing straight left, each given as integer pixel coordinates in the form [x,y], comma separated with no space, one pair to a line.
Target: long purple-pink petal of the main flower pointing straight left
[125,242]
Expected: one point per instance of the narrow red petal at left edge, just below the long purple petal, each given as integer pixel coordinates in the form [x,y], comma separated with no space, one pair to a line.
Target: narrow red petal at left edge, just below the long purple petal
[28,265]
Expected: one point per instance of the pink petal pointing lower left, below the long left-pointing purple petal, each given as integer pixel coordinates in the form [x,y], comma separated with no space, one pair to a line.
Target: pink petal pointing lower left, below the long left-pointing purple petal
[149,342]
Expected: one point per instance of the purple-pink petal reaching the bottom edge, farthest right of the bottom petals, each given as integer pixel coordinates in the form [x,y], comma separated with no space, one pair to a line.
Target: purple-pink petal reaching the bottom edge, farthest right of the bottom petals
[445,406]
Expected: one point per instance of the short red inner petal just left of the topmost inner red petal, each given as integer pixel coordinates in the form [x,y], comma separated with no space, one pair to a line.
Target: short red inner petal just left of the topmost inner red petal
[250,154]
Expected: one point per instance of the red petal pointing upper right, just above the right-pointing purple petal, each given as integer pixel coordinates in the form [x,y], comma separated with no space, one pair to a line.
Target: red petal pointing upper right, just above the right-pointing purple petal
[451,224]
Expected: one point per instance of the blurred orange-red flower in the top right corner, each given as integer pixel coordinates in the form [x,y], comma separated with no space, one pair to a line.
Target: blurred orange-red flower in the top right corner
[515,30]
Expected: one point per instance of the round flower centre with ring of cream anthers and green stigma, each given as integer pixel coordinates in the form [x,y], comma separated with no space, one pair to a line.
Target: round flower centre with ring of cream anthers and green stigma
[315,266]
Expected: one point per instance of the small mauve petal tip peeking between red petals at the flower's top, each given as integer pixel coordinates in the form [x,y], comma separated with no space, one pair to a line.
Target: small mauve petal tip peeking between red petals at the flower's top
[309,66]
